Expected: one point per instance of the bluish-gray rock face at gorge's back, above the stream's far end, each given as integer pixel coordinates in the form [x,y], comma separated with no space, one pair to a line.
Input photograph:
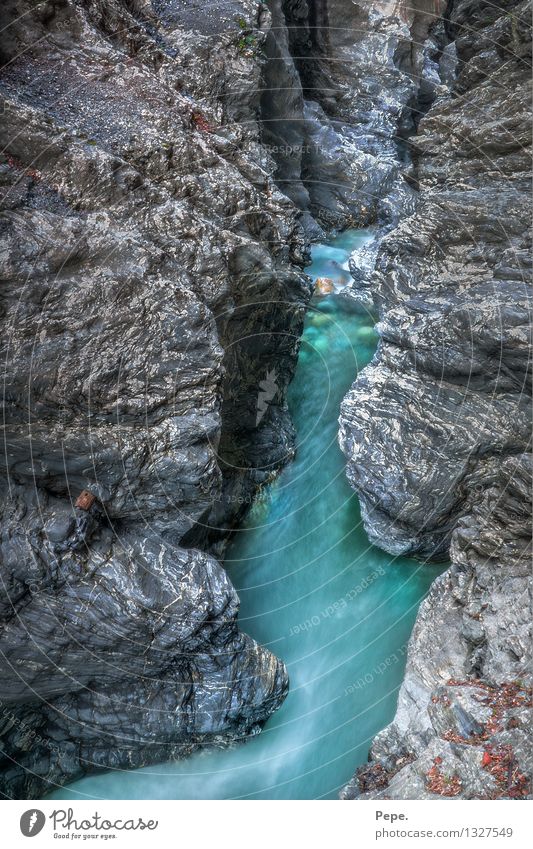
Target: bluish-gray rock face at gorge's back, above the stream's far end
[340,78]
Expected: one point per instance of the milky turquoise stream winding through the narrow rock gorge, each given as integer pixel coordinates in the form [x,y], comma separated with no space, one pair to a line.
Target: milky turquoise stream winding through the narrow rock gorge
[337,610]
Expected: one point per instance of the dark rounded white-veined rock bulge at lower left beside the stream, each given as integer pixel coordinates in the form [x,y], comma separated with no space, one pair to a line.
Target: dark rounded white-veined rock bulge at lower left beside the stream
[119,654]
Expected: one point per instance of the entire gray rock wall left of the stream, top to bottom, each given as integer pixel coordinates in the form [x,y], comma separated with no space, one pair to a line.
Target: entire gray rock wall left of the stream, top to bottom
[151,278]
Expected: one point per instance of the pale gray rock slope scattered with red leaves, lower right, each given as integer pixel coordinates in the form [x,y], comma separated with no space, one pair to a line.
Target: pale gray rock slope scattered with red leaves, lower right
[463,724]
